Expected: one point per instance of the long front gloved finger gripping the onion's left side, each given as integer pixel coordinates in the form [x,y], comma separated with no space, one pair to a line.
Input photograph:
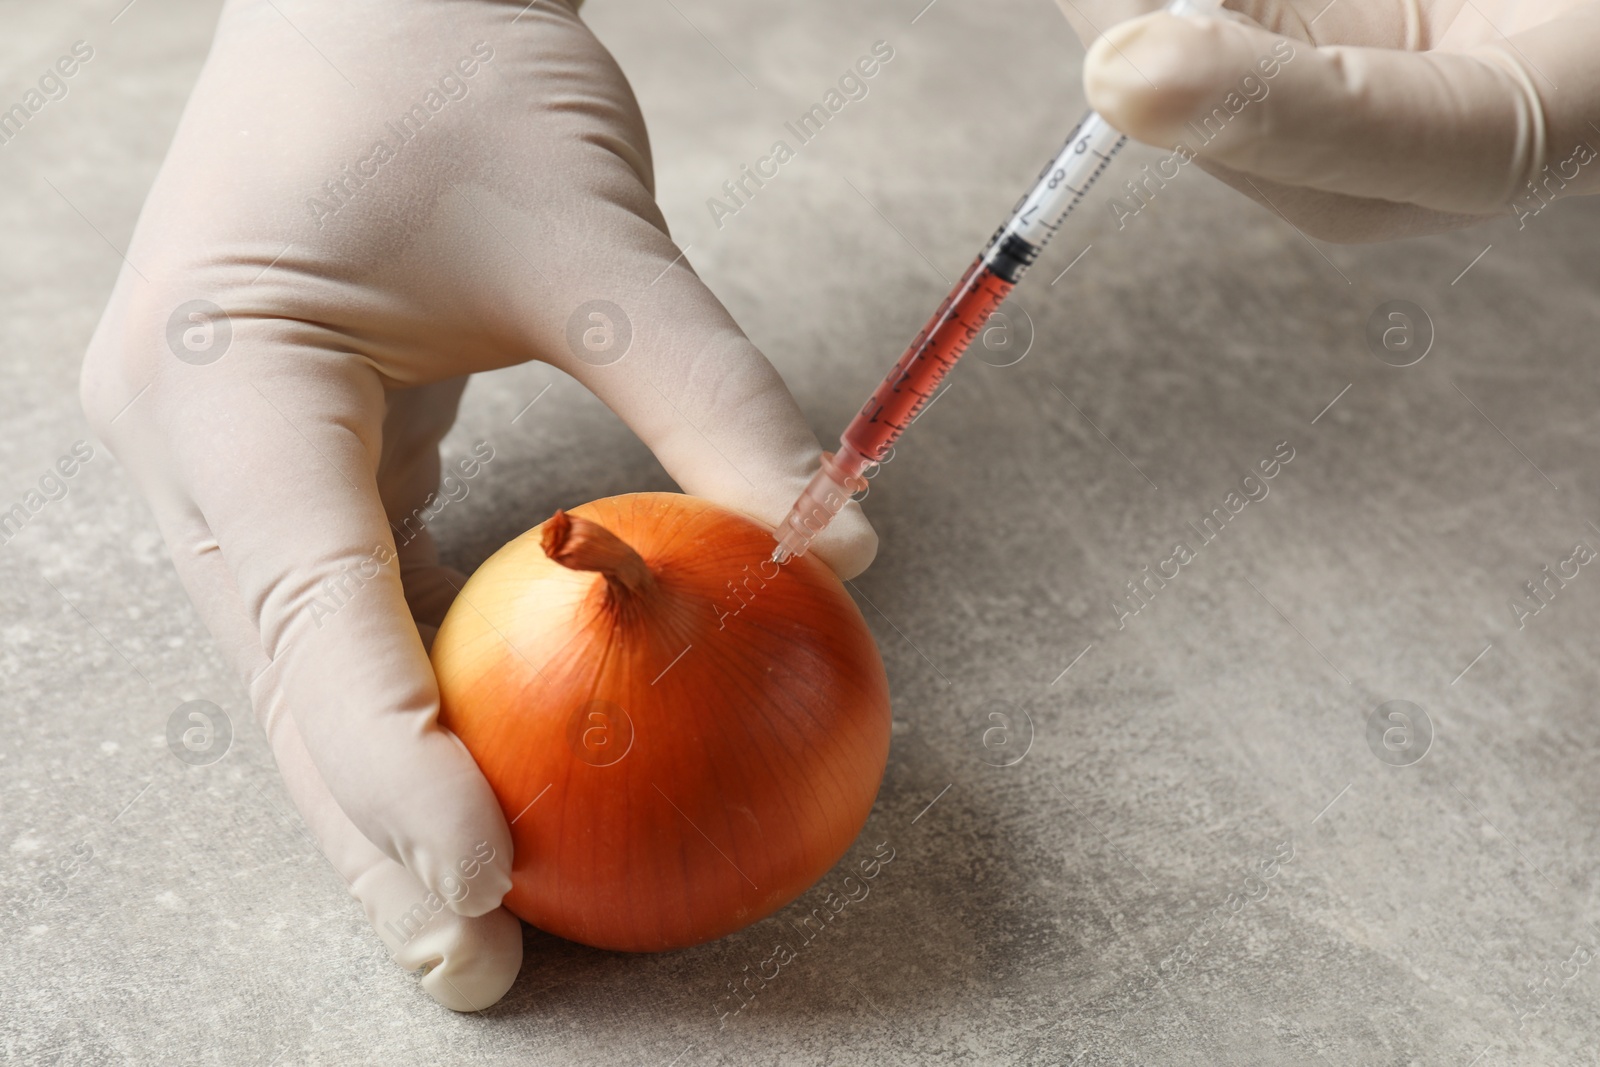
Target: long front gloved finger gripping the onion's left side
[303,530]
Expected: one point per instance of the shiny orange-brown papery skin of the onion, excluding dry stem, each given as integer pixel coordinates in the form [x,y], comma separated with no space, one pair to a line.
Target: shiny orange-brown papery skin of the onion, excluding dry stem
[742,770]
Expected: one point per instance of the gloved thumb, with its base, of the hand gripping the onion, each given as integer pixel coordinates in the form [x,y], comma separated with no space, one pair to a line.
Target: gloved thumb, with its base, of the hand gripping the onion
[577,270]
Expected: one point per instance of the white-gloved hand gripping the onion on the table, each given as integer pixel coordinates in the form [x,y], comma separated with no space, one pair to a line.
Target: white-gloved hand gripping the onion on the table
[385,198]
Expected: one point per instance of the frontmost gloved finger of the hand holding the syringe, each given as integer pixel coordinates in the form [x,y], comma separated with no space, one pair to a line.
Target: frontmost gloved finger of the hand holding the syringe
[1455,134]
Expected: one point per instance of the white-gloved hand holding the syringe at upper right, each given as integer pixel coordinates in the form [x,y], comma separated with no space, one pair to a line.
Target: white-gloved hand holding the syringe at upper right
[1393,118]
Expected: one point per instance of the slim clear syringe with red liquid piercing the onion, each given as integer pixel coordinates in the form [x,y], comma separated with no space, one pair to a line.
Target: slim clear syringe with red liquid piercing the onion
[964,314]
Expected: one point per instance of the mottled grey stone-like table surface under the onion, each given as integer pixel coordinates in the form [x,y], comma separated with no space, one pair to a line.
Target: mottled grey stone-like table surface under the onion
[1185,842]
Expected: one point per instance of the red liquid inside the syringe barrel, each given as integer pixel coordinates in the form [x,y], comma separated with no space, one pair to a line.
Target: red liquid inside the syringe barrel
[916,380]
